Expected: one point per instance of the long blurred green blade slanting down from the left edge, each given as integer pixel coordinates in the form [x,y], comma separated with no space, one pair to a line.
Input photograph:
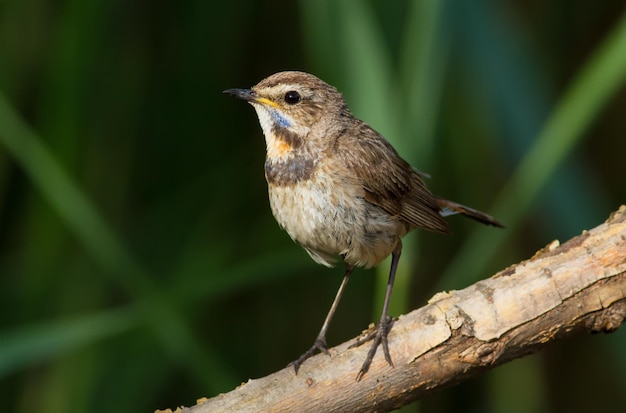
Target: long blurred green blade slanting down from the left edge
[82,219]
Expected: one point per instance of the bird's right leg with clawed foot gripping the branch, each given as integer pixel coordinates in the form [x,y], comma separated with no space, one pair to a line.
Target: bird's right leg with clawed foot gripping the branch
[379,334]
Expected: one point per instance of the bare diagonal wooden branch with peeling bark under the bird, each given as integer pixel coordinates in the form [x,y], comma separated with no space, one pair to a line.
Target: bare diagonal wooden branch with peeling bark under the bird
[577,287]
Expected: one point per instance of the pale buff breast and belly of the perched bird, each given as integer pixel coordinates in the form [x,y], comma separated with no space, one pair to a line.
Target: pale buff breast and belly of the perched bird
[326,212]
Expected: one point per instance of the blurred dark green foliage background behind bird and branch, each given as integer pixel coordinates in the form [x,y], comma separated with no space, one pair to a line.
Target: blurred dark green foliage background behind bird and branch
[140,266]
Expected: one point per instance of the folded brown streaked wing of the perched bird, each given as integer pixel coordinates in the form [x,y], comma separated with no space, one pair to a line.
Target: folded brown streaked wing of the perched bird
[388,180]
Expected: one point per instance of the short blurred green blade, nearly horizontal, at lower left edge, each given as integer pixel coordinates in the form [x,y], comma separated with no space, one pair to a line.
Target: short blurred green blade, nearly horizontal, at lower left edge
[28,345]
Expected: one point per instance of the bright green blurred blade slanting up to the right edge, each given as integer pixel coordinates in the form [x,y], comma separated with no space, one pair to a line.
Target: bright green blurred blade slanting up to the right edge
[594,86]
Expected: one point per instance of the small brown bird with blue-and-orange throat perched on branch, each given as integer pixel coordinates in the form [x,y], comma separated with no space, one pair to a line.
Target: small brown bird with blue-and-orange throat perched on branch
[340,189]
